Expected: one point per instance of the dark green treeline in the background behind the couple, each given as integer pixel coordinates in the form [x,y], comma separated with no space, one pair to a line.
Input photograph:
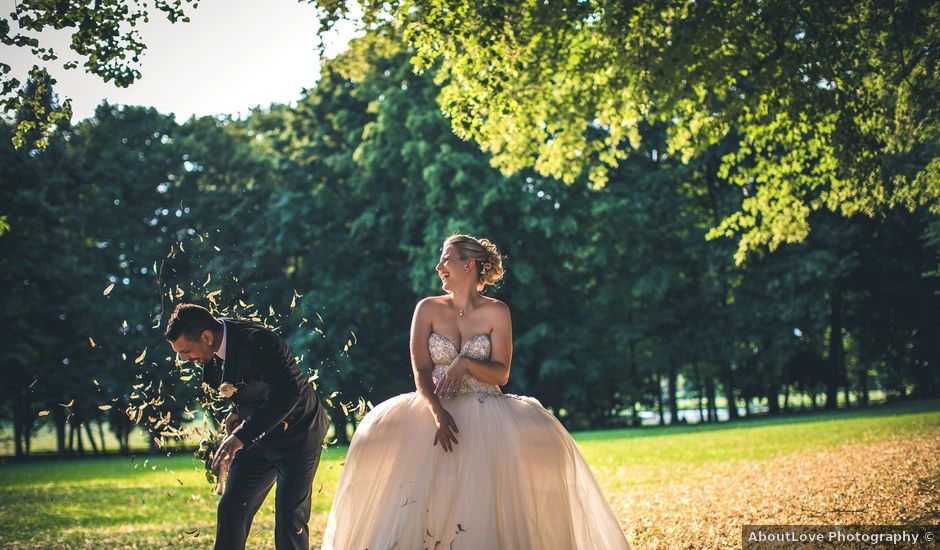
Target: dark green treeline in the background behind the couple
[326,219]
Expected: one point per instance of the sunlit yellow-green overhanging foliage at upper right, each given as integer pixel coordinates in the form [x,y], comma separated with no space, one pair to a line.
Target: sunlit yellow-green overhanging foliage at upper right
[831,105]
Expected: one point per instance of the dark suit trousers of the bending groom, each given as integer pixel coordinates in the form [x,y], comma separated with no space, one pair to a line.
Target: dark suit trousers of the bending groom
[254,470]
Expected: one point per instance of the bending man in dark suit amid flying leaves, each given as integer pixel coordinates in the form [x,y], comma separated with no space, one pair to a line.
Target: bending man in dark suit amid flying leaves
[276,430]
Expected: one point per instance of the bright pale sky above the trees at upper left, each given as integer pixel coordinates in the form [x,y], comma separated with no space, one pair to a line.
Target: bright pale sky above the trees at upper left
[233,55]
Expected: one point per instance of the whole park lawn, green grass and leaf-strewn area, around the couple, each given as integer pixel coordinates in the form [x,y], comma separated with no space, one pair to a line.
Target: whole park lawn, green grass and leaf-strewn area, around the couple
[685,486]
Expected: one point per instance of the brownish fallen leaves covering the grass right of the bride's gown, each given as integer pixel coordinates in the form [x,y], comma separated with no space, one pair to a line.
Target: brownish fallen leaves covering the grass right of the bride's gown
[889,483]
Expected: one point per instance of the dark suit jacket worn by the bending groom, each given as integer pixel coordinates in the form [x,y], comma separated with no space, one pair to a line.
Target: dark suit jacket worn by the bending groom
[280,409]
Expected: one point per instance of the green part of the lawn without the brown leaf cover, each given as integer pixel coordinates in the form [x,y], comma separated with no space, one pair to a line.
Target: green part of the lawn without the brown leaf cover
[152,502]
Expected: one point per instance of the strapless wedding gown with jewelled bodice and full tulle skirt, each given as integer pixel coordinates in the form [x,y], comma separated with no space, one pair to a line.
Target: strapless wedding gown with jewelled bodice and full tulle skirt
[514,481]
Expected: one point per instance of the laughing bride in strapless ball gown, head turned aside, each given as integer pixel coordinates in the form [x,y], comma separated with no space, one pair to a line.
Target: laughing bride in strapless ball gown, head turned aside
[458,464]
